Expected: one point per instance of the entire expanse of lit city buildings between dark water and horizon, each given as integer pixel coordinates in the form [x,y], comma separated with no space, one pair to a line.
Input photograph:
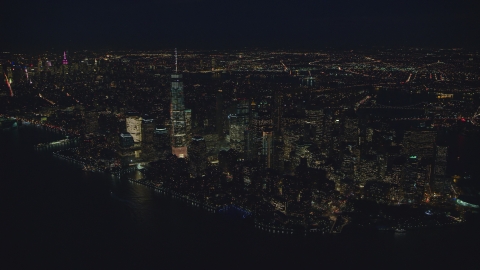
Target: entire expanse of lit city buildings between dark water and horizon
[308,141]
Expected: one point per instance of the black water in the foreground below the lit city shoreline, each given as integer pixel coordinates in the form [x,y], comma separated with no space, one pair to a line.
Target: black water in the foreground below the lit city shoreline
[55,215]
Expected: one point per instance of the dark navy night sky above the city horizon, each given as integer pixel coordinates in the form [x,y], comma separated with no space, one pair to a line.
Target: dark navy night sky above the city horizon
[223,24]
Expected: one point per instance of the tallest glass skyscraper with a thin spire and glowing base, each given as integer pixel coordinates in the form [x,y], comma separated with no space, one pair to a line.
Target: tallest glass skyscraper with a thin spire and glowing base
[178,115]
